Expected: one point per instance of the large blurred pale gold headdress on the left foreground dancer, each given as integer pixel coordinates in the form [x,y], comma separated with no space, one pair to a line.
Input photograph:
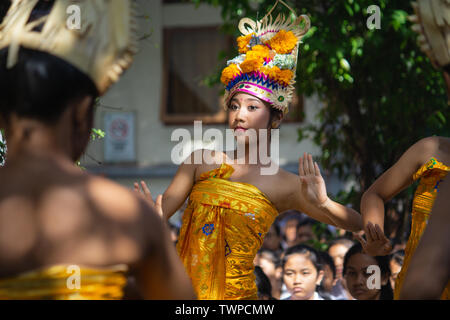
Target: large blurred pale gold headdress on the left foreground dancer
[102,46]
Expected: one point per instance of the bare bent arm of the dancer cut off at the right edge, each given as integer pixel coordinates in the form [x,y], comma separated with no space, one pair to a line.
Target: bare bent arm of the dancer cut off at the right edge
[392,182]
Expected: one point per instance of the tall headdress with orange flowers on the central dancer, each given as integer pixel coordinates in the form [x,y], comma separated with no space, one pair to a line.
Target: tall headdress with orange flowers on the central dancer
[268,57]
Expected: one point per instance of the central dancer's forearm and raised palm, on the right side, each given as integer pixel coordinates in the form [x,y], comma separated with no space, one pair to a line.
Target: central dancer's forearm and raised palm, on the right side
[310,197]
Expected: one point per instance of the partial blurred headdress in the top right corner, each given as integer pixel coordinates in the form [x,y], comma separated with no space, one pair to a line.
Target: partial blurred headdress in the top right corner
[432,22]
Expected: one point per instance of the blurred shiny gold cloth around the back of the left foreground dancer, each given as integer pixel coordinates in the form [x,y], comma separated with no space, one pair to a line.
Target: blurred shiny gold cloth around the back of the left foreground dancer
[61,283]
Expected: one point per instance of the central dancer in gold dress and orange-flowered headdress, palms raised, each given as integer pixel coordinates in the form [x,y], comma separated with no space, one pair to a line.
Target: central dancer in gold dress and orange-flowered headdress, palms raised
[231,204]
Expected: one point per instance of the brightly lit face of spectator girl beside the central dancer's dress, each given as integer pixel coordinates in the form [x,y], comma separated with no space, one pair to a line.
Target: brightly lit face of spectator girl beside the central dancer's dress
[301,277]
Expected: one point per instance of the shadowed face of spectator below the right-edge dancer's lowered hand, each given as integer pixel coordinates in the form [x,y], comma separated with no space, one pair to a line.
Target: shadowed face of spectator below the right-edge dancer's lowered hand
[357,276]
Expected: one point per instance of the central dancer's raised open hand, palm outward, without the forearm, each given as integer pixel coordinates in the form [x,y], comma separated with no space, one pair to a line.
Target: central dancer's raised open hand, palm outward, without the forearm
[313,185]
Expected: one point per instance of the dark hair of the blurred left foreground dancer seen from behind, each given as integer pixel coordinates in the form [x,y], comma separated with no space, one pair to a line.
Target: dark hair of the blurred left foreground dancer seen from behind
[41,86]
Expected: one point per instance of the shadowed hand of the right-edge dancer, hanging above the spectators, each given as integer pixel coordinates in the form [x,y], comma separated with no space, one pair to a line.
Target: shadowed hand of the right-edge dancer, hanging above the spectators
[377,244]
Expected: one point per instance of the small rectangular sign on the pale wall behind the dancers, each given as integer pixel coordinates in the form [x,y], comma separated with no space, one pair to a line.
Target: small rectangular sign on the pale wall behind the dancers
[119,138]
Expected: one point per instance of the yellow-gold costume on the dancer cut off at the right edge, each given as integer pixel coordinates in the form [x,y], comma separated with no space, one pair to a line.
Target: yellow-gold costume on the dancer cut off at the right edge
[431,174]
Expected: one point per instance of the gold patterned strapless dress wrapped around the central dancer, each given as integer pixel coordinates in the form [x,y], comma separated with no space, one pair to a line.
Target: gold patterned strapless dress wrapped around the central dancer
[223,227]
